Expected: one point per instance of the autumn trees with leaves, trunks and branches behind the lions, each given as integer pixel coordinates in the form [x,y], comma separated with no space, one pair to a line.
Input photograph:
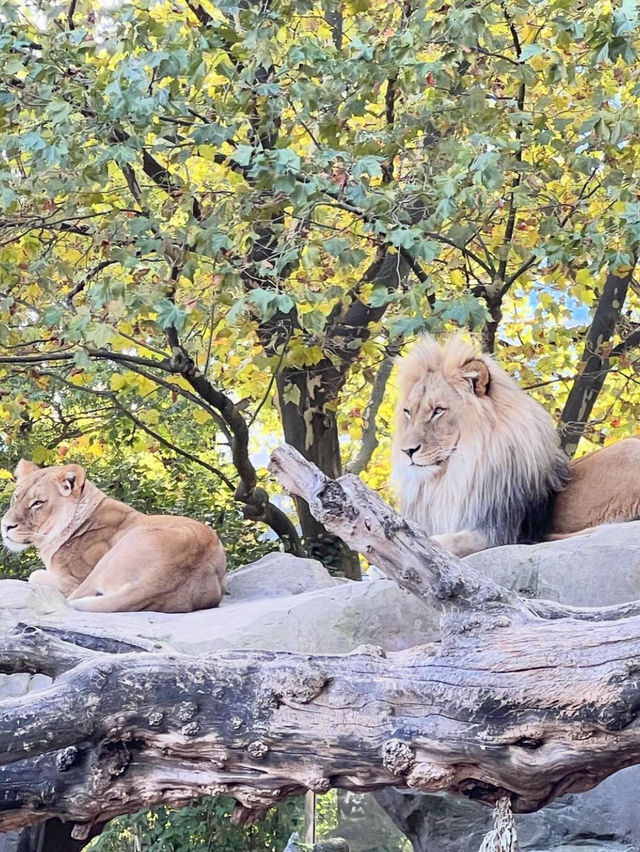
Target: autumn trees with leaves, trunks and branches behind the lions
[222,220]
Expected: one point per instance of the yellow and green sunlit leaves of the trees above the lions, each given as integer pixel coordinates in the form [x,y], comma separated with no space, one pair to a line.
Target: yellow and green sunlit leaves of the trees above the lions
[250,170]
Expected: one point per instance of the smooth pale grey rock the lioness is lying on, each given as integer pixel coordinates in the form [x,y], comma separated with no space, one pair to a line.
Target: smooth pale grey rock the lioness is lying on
[277,603]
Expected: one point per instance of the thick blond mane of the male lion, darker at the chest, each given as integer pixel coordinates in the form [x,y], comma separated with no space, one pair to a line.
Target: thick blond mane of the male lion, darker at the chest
[507,465]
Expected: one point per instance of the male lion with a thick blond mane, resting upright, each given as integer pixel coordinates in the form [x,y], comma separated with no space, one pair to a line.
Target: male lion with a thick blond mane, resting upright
[476,461]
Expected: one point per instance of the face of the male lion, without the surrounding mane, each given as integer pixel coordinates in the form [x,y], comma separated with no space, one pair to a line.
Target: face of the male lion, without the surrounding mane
[428,419]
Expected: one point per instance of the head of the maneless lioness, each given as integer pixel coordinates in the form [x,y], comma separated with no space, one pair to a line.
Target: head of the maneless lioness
[43,504]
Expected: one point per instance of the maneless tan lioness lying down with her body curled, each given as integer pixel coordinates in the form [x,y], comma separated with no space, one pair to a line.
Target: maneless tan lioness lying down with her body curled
[105,556]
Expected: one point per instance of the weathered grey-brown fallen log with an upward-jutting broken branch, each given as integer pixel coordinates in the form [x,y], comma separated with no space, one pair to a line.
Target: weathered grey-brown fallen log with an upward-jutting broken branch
[521,699]
